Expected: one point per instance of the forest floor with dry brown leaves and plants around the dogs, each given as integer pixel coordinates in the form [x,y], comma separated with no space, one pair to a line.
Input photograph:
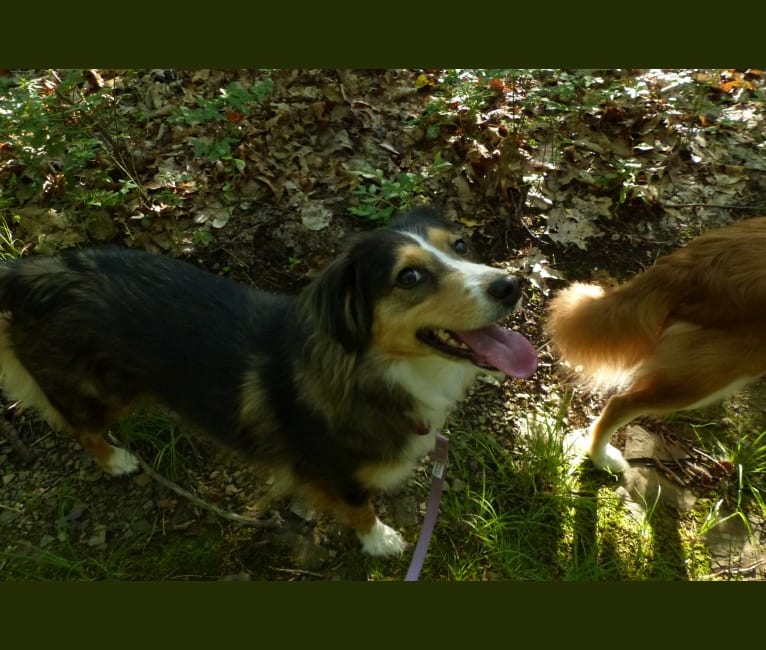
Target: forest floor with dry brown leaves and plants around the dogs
[261,176]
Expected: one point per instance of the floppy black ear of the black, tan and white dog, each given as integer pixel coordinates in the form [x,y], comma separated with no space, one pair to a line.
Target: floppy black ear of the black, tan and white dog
[341,302]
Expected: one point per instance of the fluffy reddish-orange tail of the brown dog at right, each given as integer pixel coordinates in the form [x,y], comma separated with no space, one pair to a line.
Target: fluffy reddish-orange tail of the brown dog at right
[602,334]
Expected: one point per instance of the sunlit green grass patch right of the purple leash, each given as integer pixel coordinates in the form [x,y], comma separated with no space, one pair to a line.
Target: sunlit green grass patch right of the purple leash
[521,512]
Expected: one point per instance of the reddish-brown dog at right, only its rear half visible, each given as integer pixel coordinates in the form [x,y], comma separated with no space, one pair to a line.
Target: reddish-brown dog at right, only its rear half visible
[687,332]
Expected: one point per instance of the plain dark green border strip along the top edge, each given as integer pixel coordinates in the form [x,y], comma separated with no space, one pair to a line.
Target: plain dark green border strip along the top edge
[384,35]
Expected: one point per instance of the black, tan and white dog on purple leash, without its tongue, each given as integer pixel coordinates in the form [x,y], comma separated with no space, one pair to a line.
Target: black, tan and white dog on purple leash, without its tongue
[314,386]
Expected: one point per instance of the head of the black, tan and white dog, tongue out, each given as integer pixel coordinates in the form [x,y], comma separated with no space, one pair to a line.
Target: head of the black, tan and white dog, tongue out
[410,290]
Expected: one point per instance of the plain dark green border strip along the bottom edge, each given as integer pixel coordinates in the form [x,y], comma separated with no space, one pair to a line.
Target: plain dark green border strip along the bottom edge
[214,614]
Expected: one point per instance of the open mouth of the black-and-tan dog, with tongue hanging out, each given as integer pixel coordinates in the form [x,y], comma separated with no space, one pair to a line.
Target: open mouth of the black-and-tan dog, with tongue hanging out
[493,348]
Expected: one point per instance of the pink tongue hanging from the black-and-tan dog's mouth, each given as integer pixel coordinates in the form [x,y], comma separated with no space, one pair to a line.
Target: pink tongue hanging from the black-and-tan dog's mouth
[502,349]
